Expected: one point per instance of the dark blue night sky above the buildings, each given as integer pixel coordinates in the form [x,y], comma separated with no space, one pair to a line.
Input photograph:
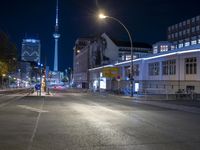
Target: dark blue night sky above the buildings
[147,21]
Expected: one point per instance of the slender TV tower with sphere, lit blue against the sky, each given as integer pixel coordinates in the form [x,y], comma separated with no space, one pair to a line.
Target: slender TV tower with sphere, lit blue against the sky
[56,36]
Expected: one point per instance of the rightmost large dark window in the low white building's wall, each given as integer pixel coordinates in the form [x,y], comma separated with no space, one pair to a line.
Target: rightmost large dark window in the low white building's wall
[191,65]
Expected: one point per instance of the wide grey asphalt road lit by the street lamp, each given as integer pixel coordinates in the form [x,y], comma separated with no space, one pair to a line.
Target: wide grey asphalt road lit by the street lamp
[76,121]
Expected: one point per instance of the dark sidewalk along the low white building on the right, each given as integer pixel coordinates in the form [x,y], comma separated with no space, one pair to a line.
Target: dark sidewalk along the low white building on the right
[192,106]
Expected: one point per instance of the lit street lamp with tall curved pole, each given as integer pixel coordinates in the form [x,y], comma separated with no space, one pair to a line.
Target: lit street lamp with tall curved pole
[102,16]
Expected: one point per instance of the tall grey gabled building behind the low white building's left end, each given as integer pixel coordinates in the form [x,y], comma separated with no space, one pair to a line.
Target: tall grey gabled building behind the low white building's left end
[92,52]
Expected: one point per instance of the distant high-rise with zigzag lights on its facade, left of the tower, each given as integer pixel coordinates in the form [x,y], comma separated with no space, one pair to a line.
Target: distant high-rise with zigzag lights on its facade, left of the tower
[30,50]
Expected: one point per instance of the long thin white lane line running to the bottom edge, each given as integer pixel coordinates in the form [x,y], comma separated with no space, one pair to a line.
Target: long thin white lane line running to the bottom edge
[36,126]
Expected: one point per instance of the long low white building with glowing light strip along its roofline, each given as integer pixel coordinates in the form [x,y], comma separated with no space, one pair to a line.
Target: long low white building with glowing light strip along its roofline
[165,72]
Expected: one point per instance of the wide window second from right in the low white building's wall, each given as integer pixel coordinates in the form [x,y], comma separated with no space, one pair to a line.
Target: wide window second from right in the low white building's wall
[169,67]
